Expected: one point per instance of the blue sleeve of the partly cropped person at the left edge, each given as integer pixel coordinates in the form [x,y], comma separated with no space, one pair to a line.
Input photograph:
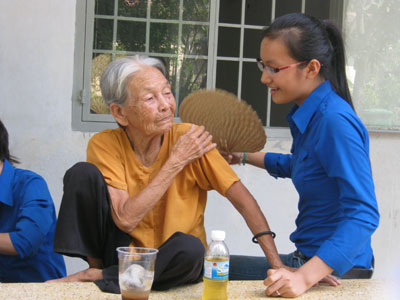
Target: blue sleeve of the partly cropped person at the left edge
[35,217]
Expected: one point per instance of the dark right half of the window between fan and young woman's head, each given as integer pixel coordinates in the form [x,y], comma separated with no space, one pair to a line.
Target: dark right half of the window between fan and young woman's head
[239,28]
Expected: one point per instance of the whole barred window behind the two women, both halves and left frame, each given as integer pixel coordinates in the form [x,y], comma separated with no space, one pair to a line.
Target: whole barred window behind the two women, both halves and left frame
[203,43]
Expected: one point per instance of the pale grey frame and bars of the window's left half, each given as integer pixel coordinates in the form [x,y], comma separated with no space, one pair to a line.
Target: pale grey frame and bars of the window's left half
[82,119]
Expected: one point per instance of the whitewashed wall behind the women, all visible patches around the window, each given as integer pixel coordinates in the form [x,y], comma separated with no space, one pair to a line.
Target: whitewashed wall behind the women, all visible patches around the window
[36,74]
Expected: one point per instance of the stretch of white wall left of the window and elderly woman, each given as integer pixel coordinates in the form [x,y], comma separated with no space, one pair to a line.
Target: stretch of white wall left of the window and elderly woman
[36,65]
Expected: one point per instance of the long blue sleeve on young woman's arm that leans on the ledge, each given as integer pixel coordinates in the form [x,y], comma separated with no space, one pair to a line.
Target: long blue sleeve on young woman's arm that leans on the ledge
[343,150]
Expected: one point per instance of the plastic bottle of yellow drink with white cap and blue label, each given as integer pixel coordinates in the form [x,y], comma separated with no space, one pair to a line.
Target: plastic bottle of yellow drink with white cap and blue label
[216,268]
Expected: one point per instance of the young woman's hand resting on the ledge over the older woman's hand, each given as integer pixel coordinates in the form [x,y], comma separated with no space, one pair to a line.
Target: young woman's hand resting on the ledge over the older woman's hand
[285,283]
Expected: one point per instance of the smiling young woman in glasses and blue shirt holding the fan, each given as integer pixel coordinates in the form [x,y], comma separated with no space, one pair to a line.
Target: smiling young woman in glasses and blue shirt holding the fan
[302,61]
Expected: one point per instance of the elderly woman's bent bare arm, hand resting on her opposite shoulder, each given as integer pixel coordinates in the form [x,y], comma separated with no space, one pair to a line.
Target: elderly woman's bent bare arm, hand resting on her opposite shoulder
[128,211]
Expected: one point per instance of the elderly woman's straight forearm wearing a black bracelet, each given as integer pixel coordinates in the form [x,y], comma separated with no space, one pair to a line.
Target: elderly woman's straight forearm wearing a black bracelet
[245,203]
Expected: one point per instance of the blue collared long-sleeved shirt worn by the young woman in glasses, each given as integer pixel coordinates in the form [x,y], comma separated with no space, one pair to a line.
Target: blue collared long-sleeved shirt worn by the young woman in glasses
[330,168]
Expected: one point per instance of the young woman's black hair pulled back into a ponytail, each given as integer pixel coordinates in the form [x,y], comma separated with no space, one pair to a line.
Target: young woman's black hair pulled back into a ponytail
[308,38]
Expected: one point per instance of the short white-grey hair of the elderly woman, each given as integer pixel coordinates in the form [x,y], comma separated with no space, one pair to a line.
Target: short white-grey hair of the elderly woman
[118,73]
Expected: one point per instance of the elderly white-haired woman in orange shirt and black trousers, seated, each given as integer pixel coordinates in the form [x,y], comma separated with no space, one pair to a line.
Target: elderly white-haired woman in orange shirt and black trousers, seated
[145,184]
